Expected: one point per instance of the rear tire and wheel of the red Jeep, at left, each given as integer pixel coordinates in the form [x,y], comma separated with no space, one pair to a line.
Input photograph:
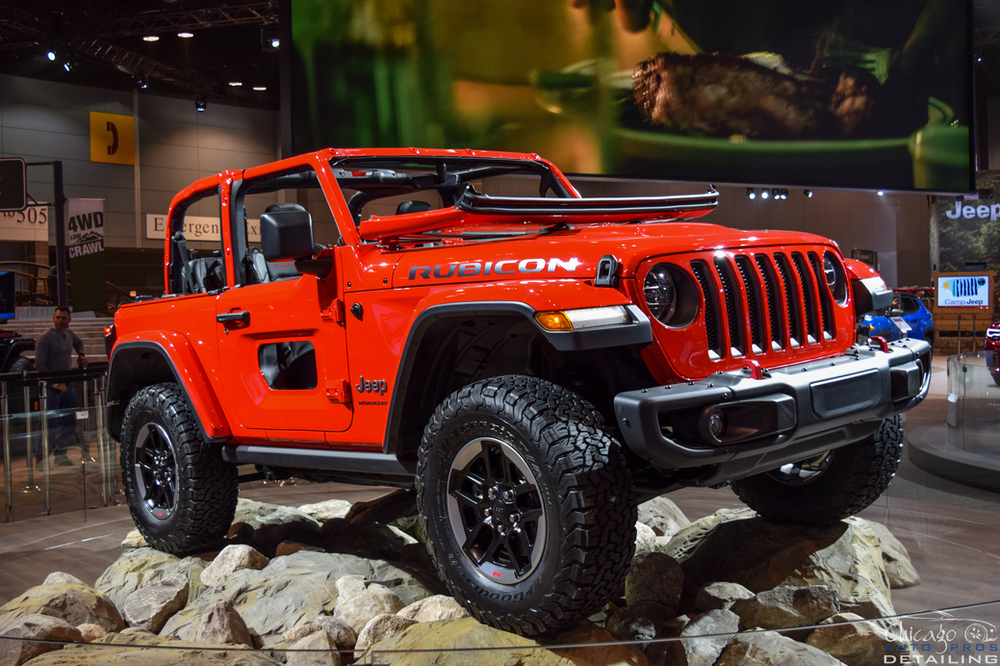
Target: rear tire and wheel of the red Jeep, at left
[181,493]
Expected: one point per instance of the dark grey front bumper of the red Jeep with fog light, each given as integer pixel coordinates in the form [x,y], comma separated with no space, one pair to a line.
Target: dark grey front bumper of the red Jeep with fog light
[753,420]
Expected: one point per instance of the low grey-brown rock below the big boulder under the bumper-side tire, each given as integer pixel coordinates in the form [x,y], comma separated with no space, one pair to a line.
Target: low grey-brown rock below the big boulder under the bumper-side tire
[787,606]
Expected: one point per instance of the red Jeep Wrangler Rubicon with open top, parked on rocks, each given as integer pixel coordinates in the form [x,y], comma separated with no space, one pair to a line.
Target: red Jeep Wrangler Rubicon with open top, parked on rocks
[534,363]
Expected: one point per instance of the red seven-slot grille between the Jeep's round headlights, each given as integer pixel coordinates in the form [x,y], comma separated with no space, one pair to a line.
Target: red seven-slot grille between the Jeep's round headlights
[762,302]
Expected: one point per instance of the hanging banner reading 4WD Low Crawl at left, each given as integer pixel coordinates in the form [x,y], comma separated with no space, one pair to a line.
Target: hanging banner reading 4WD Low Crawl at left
[85,249]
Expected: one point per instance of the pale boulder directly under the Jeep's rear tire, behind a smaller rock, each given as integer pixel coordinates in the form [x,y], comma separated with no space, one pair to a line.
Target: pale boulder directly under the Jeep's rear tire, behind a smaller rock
[144,566]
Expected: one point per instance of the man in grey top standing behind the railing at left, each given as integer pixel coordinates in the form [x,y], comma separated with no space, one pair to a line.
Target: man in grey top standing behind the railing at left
[54,353]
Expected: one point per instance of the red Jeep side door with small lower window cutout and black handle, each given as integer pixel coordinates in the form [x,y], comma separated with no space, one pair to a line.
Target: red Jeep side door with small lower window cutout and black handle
[282,351]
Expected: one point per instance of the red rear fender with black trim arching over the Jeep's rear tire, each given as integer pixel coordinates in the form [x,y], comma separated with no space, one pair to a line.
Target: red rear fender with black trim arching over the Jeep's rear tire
[128,367]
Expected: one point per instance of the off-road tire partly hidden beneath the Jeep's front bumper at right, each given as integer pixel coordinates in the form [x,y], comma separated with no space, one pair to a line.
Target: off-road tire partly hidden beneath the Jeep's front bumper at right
[851,478]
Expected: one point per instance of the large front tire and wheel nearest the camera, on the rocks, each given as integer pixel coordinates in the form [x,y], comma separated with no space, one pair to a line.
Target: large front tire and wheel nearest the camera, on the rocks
[565,486]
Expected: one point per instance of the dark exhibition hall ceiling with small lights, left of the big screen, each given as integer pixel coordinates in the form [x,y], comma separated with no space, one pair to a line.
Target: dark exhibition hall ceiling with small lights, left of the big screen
[211,50]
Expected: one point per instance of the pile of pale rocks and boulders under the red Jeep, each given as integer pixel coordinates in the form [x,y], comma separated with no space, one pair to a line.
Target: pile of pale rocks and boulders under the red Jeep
[331,584]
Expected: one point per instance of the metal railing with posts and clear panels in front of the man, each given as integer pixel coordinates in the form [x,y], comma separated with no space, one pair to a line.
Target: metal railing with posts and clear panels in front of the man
[33,430]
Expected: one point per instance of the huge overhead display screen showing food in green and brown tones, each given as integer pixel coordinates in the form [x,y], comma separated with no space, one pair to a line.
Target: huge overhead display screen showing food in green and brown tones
[870,94]
